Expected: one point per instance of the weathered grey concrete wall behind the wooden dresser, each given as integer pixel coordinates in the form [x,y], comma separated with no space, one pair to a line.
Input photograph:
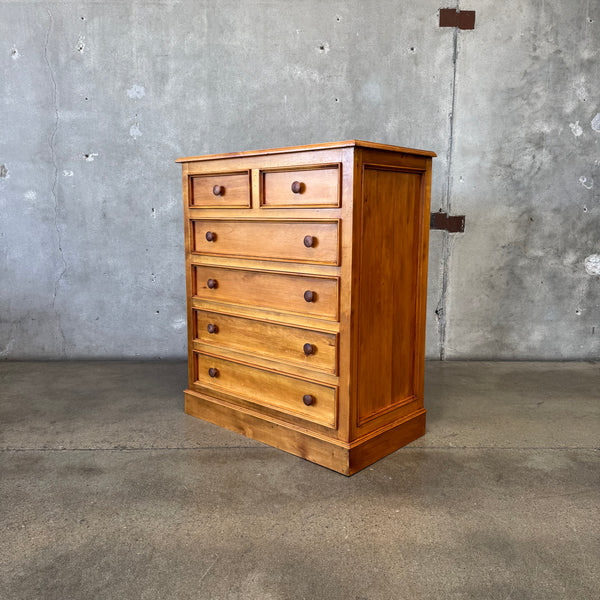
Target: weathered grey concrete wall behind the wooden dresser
[99,98]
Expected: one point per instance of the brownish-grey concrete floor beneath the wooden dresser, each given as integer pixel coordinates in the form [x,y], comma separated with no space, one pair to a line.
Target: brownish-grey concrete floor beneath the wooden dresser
[108,490]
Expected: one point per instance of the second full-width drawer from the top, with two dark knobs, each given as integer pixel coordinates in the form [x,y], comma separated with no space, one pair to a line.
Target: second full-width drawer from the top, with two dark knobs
[303,294]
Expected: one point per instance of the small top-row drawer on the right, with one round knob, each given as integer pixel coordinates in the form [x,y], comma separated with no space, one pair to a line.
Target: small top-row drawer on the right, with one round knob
[299,187]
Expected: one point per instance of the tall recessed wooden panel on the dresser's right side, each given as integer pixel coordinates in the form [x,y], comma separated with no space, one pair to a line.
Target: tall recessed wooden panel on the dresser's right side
[390,246]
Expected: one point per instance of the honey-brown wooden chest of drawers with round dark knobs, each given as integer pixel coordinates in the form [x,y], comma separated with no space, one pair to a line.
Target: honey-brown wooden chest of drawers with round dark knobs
[306,286]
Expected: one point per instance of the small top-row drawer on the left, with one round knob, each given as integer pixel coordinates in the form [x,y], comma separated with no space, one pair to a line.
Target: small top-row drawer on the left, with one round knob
[226,190]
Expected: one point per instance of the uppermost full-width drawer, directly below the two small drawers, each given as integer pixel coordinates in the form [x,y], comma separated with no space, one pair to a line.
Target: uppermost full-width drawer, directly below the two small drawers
[311,241]
